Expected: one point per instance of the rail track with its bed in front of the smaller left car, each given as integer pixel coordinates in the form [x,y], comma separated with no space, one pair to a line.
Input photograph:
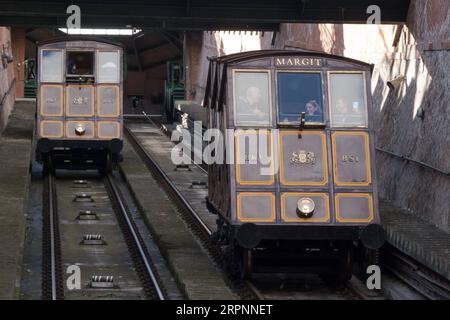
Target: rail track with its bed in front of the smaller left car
[112,257]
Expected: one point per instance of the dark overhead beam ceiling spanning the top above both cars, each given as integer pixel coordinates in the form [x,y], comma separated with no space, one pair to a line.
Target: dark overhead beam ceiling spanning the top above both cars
[197,14]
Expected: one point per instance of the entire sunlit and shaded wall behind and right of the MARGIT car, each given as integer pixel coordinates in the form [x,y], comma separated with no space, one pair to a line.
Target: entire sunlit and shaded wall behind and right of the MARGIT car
[419,51]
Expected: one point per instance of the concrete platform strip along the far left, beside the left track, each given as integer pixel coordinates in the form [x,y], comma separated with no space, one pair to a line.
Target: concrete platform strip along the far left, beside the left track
[15,154]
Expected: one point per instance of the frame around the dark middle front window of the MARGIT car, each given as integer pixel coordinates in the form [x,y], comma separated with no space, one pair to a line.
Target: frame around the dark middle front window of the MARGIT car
[324,101]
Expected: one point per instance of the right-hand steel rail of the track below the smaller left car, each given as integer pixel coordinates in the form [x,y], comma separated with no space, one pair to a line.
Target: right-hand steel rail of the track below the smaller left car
[134,234]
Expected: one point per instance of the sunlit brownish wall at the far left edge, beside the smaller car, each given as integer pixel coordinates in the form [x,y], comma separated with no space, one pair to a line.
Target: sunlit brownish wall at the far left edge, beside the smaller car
[6,79]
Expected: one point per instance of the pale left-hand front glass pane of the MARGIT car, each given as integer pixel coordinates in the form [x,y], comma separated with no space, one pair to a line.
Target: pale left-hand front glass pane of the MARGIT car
[251,98]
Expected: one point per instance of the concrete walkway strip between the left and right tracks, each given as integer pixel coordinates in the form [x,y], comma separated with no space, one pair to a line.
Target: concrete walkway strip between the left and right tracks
[193,270]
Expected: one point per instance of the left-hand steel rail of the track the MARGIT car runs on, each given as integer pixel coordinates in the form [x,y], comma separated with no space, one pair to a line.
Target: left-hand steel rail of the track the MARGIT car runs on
[152,164]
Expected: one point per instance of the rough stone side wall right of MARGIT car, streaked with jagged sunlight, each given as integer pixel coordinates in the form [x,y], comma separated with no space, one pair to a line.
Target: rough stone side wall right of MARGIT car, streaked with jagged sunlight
[414,119]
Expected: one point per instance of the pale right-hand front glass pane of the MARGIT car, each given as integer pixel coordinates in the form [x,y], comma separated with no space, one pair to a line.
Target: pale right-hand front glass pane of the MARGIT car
[347,100]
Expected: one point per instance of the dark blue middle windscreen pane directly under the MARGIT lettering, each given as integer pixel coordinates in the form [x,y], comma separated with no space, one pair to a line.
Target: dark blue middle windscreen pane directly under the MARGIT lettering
[299,92]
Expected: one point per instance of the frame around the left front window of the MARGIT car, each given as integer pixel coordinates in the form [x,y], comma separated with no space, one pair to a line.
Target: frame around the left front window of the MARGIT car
[270,95]
